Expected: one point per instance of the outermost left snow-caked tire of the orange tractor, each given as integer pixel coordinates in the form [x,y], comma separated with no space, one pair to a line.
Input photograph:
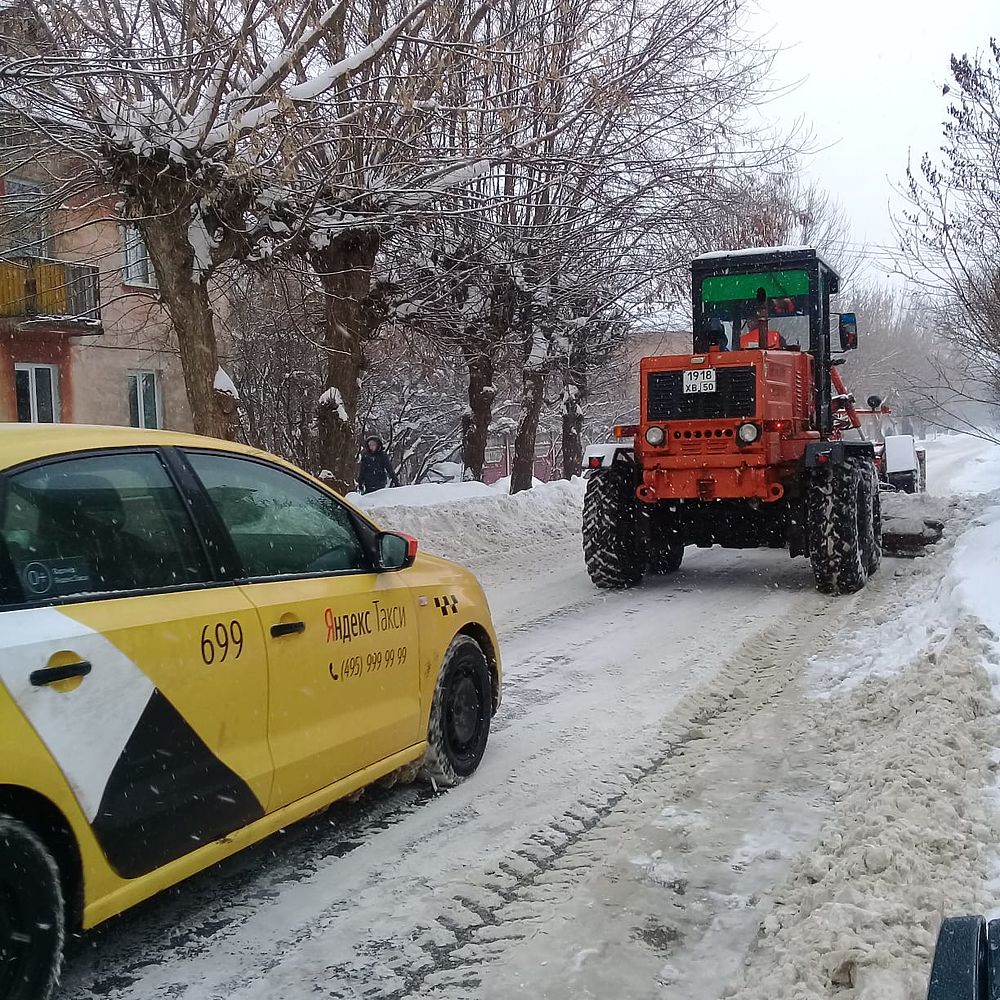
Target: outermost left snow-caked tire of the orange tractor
[612,529]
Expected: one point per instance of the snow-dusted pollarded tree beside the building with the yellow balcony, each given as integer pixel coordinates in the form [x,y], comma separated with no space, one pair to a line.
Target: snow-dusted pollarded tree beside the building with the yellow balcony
[180,112]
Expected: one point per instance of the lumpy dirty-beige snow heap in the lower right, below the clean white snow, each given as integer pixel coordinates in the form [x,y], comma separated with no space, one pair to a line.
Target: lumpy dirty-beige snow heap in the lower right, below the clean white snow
[907,843]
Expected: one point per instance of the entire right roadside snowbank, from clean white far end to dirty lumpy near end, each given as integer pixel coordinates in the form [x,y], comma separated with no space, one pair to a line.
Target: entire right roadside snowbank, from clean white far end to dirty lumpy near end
[908,712]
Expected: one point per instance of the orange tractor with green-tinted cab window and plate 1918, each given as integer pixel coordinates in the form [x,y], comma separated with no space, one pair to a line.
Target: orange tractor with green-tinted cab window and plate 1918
[750,441]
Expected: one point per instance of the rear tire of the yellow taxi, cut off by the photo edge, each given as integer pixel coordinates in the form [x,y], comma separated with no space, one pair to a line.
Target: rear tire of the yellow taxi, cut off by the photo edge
[31,894]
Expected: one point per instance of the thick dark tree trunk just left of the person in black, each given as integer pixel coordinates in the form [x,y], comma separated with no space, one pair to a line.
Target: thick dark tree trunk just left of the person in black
[344,270]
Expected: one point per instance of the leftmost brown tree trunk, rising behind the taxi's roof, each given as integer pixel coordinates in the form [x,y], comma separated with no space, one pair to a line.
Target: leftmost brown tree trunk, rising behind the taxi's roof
[184,294]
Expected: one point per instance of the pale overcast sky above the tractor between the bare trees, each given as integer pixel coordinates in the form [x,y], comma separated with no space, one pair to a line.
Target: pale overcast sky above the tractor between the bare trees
[871,73]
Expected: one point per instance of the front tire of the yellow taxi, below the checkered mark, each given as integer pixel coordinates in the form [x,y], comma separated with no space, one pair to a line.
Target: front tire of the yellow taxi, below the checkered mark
[464,669]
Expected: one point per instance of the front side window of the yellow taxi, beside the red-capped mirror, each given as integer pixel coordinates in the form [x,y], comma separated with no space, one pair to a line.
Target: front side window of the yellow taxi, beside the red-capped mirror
[279,524]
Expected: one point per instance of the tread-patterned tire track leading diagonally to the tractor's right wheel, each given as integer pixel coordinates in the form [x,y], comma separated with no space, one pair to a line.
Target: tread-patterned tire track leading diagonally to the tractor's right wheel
[502,901]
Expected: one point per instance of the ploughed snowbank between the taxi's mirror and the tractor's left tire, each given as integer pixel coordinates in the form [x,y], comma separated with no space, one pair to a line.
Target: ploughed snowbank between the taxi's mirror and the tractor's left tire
[485,523]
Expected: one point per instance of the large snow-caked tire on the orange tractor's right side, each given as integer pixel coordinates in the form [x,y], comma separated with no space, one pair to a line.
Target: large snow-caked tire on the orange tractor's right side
[840,517]
